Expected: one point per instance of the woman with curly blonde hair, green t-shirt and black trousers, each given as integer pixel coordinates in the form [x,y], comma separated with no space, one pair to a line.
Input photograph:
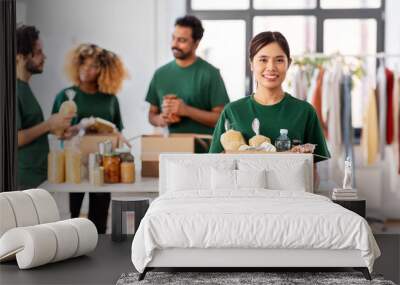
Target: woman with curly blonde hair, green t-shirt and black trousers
[97,75]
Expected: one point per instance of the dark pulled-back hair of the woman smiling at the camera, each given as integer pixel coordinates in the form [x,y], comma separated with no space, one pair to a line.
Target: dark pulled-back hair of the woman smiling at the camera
[265,38]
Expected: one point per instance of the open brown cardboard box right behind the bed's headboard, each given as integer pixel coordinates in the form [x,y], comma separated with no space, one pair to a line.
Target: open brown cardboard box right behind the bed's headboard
[153,145]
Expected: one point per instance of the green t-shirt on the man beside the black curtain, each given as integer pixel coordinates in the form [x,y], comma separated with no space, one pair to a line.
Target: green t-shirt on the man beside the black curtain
[32,158]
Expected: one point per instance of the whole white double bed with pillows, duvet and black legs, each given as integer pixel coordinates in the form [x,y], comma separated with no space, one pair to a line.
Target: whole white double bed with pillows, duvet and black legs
[246,211]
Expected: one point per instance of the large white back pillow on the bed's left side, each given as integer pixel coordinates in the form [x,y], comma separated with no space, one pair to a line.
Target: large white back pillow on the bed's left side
[193,175]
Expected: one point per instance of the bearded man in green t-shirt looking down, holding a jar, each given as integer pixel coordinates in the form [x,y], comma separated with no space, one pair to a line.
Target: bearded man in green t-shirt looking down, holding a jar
[187,94]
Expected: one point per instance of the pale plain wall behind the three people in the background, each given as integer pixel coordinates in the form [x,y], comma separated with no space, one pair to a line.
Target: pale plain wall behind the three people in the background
[137,30]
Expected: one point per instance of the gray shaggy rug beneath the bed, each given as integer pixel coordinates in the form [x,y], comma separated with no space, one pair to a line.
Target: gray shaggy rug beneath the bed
[243,278]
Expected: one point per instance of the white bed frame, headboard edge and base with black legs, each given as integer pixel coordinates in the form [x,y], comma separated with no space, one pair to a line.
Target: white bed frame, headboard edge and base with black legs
[241,259]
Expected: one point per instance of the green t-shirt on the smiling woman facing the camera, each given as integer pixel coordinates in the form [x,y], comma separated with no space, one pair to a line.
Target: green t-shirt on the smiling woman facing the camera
[297,116]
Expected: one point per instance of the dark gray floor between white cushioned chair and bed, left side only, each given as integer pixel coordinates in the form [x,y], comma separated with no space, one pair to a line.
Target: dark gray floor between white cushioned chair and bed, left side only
[102,266]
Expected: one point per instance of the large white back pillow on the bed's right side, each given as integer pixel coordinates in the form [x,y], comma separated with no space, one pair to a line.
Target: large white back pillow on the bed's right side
[285,174]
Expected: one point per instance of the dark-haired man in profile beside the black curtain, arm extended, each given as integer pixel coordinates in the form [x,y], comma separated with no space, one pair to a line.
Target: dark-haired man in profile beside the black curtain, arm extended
[33,145]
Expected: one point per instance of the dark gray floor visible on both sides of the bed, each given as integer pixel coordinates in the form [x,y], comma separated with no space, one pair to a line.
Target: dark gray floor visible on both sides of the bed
[110,260]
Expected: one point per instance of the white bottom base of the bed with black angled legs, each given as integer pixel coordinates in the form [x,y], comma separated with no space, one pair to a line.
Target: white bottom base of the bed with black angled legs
[249,259]
